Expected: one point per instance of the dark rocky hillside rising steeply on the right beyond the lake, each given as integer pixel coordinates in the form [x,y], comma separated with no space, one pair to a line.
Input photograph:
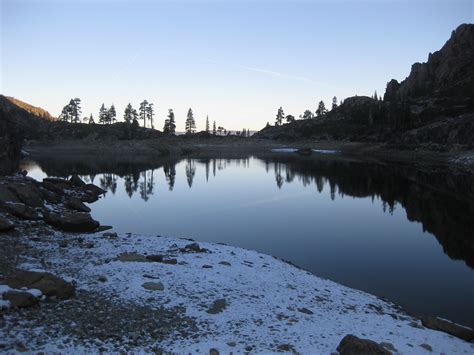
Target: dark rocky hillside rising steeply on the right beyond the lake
[434,105]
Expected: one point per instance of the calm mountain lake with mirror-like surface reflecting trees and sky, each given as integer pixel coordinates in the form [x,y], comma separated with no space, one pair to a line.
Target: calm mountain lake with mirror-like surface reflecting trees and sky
[400,232]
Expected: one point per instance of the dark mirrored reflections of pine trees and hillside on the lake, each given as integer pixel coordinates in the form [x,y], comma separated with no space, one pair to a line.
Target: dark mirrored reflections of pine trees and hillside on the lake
[442,201]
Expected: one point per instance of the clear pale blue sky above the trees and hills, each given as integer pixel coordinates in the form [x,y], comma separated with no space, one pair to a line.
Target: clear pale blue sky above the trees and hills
[236,61]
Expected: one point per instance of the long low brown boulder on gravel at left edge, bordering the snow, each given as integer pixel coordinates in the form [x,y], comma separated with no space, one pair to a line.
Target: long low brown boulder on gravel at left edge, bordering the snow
[48,284]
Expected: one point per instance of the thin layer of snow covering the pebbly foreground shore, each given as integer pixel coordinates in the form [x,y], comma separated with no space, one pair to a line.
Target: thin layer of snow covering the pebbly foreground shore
[269,303]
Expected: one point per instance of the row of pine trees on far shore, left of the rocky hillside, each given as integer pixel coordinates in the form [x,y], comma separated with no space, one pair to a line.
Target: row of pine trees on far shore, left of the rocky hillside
[72,113]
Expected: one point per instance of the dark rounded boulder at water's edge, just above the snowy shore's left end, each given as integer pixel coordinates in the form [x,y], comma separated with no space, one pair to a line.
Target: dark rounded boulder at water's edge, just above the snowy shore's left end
[71,221]
